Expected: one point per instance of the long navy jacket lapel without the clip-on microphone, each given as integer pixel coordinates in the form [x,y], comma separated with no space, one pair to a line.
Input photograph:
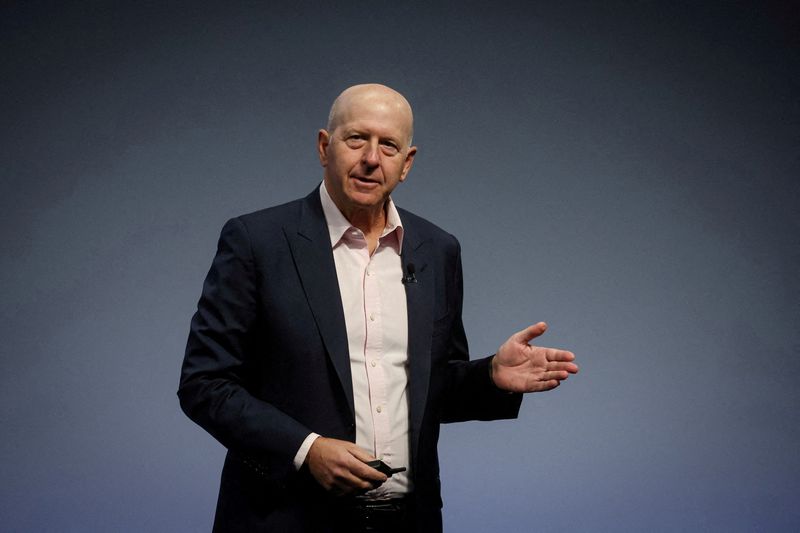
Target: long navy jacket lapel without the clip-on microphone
[311,248]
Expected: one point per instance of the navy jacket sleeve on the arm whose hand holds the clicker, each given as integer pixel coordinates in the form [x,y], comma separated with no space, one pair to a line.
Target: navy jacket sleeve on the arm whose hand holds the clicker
[214,390]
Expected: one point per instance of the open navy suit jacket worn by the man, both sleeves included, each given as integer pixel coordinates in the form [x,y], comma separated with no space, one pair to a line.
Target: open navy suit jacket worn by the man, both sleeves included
[267,363]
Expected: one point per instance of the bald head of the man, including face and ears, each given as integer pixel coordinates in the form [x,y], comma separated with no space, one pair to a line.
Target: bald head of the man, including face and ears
[365,149]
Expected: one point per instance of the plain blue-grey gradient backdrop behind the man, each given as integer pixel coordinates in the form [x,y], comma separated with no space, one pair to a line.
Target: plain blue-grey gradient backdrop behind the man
[627,172]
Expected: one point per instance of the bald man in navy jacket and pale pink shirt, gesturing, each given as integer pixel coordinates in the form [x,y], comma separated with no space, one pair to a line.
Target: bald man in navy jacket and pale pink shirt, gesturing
[329,334]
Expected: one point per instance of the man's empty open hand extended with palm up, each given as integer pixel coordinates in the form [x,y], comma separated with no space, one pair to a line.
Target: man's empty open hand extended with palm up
[521,367]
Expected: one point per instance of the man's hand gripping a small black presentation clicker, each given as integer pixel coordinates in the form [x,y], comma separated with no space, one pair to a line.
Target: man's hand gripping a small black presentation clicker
[339,466]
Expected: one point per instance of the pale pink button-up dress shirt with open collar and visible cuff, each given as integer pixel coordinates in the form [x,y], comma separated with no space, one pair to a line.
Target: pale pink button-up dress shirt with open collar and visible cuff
[374,303]
